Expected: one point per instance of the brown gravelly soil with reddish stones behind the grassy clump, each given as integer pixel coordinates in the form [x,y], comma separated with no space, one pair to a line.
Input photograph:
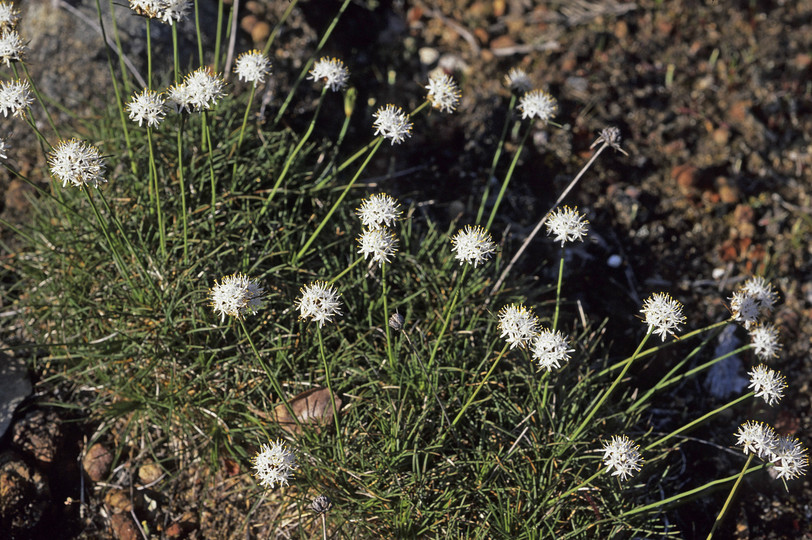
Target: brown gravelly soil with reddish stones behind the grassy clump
[713,101]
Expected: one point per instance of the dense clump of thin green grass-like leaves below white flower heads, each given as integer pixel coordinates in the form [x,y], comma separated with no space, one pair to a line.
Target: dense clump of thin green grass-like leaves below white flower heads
[445,428]
